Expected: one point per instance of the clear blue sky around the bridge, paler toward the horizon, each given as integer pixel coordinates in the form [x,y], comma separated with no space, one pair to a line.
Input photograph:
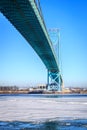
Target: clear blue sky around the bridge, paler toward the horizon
[20,65]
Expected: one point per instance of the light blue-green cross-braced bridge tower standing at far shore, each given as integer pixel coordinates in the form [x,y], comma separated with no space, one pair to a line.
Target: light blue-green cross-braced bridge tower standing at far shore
[53,77]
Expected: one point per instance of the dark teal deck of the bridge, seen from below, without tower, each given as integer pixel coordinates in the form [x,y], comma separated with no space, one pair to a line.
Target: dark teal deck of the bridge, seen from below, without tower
[21,13]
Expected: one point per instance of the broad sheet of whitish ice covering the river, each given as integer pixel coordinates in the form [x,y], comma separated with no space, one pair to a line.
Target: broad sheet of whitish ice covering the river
[42,108]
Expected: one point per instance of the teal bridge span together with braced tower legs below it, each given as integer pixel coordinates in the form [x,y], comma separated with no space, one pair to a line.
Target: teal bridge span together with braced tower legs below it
[26,17]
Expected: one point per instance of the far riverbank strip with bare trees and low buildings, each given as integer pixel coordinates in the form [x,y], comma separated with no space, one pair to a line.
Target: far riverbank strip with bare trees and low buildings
[40,90]
